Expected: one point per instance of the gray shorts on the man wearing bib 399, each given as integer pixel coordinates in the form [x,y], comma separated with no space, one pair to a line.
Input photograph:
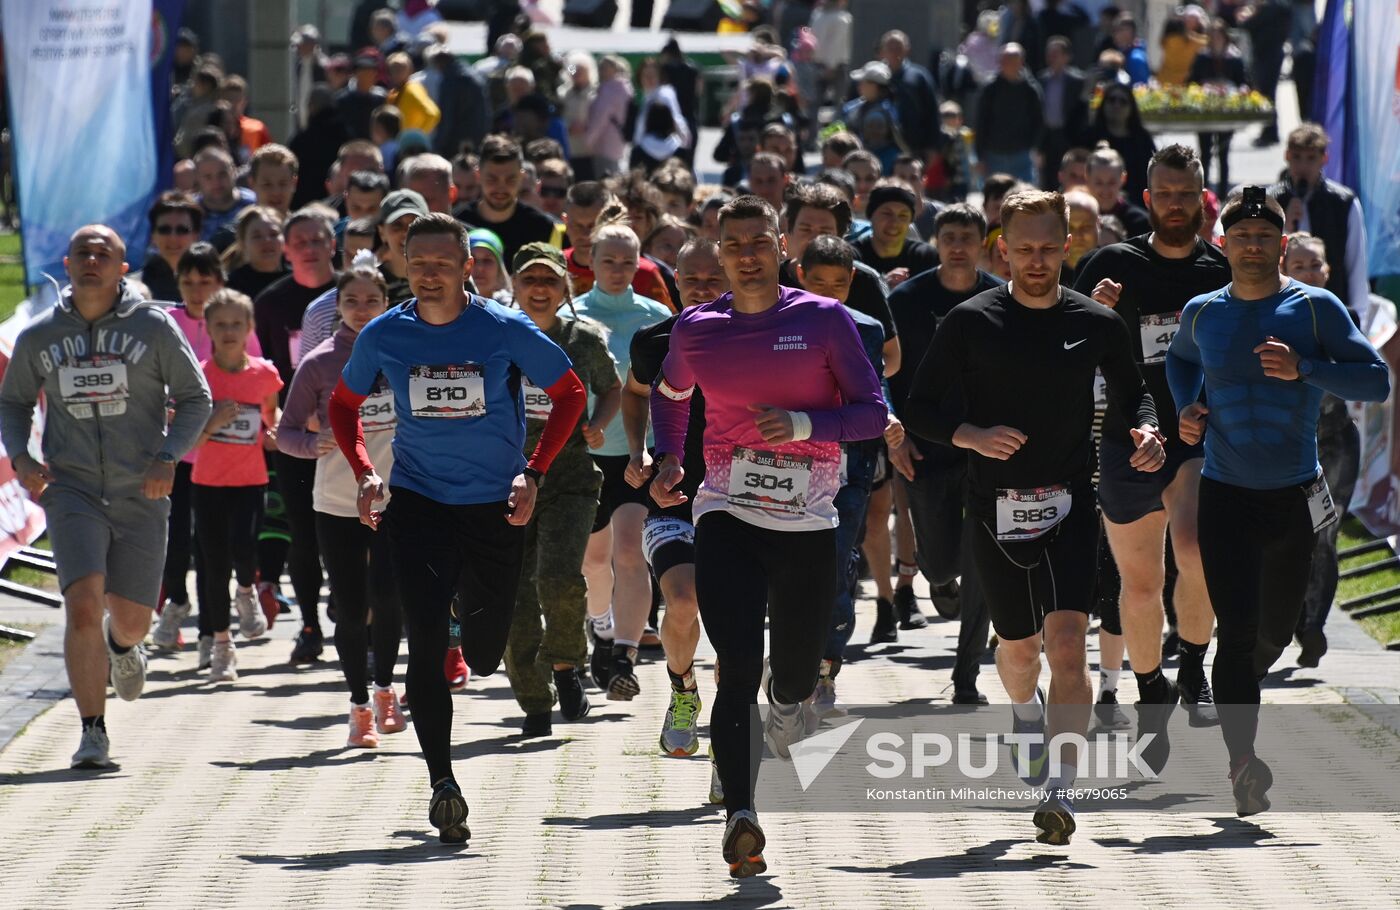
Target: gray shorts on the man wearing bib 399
[124,541]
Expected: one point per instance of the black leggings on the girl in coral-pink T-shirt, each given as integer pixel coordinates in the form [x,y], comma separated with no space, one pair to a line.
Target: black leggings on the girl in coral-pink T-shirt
[226,526]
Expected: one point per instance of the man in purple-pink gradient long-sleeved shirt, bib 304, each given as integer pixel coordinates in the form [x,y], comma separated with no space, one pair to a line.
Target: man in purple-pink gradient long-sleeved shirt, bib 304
[792,384]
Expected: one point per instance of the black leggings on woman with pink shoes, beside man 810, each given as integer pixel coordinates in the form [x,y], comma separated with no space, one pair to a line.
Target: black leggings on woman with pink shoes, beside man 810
[362,577]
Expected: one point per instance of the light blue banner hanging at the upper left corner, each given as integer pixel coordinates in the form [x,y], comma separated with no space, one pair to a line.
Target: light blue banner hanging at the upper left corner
[80,106]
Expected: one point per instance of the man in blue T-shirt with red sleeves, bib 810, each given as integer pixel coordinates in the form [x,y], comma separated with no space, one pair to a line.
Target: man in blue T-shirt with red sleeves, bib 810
[463,492]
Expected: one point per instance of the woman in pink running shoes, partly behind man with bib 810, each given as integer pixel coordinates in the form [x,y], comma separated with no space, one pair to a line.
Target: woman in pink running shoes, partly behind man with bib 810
[358,561]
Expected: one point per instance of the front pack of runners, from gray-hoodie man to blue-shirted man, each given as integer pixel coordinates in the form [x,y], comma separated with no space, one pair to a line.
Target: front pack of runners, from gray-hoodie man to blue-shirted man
[493,465]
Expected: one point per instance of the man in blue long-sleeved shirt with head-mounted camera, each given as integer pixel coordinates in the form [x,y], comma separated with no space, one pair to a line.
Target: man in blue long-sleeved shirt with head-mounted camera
[1266,349]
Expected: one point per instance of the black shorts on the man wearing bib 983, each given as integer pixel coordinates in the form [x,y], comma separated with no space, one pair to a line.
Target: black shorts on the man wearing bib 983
[1024,580]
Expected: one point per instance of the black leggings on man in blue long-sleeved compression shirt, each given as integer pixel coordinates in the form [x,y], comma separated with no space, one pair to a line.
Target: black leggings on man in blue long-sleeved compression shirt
[1256,552]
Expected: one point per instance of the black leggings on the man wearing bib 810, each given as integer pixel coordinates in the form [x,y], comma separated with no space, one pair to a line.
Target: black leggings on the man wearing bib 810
[439,552]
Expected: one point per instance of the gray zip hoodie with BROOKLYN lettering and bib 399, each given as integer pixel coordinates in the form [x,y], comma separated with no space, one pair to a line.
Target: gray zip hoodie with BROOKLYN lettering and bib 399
[107,386]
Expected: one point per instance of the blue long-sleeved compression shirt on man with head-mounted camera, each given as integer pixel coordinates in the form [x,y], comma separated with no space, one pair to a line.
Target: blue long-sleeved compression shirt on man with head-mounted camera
[1262,433]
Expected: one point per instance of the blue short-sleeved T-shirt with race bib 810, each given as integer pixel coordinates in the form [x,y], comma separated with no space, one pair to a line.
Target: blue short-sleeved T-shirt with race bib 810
[457,395]
